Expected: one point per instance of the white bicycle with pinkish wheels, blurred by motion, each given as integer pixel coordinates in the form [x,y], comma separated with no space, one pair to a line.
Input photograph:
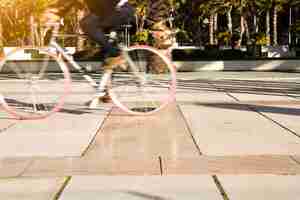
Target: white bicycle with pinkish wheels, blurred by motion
[38,91]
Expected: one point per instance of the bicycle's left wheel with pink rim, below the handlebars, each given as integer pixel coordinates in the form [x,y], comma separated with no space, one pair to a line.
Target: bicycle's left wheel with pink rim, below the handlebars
[35,88]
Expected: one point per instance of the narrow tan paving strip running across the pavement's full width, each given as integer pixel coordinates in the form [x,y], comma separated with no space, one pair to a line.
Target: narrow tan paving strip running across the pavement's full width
[46,167]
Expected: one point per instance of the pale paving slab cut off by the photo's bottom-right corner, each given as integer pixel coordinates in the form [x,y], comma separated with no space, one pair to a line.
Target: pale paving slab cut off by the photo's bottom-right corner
[261,187]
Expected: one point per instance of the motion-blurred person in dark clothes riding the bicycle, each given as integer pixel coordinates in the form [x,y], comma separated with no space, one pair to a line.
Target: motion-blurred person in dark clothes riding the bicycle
[101,16]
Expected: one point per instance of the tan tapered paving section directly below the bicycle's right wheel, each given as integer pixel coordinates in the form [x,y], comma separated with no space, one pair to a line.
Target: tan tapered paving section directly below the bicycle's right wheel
[143,137]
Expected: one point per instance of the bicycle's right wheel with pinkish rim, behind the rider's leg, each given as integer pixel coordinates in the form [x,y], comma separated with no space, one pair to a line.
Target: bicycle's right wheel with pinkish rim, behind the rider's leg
[145,83]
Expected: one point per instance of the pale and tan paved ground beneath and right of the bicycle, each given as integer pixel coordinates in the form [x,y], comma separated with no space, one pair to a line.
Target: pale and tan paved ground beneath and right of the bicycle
[229,136]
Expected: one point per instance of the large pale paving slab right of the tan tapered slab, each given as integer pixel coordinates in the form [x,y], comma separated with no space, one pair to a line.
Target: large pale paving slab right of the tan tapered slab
[220,130]
